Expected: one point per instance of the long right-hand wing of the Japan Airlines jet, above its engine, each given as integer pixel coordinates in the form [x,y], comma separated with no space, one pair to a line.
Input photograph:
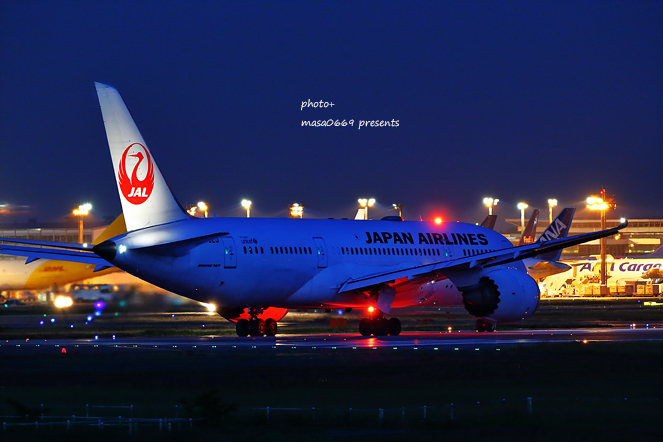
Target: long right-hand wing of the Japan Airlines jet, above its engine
[491,259]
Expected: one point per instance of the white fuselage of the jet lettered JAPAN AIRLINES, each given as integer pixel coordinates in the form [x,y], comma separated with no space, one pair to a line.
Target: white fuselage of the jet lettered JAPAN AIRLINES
[293,262]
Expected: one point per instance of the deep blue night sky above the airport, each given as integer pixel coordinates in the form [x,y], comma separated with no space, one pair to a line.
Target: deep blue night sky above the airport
[519,100]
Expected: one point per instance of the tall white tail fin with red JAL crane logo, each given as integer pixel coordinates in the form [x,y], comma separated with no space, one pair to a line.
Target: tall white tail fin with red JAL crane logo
[145,196]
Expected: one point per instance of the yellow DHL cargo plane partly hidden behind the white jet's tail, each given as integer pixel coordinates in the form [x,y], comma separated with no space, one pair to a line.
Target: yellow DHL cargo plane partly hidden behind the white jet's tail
[17,274]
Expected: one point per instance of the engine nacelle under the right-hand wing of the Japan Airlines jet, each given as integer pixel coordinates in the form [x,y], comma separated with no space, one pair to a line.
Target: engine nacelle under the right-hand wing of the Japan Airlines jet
[502,295]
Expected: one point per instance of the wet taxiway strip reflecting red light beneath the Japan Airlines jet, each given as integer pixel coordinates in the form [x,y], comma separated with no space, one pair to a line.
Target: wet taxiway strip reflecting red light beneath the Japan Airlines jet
[413,341]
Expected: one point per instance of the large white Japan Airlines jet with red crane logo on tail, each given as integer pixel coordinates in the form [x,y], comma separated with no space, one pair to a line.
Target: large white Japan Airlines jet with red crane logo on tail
[255,264]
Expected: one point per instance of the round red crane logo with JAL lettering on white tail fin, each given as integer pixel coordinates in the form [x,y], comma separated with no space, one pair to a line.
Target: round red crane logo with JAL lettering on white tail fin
[134,189]
